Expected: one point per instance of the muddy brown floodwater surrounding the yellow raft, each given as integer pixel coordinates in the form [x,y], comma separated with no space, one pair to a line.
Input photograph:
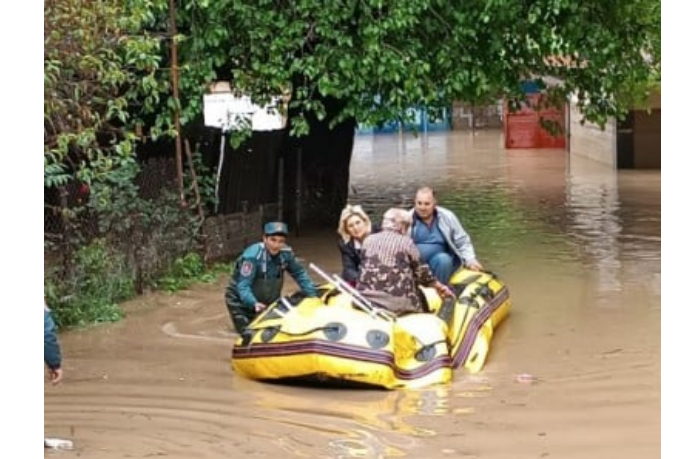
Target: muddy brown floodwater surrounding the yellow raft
[579,247]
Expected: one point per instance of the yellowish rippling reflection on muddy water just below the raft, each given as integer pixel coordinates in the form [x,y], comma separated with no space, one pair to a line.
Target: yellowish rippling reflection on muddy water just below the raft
[368,423]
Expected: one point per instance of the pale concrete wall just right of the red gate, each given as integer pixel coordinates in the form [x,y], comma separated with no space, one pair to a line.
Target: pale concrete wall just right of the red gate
[589,141]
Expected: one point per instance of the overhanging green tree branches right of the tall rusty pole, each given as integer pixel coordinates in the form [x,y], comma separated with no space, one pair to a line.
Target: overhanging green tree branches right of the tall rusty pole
[382,56]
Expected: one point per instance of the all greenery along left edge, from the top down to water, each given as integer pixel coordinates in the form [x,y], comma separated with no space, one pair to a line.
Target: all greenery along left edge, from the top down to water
[102,82]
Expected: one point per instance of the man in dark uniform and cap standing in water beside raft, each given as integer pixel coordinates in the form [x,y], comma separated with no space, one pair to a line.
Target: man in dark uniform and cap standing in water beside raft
[258,276]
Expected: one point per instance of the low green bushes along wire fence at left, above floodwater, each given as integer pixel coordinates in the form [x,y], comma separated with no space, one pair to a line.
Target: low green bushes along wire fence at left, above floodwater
[120,243]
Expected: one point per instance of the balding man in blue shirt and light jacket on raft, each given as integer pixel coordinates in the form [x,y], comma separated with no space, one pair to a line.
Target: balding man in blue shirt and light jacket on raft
[441,240]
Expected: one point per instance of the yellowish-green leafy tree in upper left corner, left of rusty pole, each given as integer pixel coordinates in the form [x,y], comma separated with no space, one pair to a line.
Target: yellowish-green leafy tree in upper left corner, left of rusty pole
[100,73]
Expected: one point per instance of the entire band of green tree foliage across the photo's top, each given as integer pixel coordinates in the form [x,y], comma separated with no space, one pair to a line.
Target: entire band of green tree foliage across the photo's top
[106,62]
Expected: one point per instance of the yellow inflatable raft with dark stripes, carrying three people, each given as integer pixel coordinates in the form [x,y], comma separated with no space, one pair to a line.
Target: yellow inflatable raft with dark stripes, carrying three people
[341,338]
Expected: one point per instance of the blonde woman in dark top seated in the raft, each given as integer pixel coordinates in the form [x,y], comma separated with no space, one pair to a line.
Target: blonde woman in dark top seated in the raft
[353,228]
